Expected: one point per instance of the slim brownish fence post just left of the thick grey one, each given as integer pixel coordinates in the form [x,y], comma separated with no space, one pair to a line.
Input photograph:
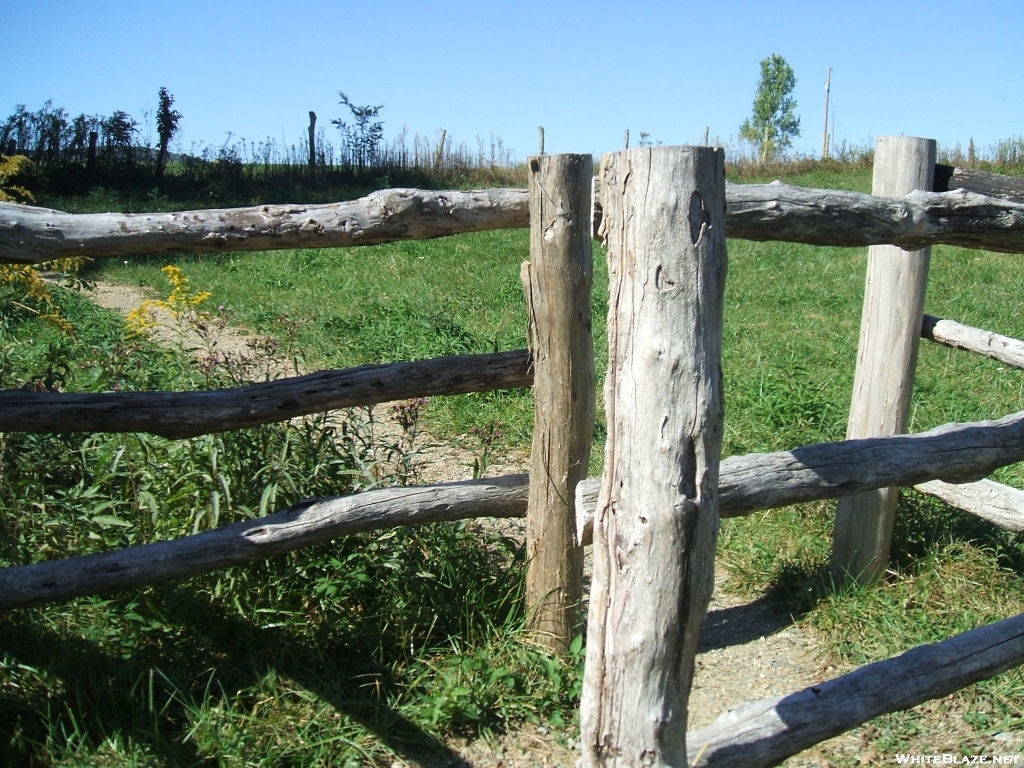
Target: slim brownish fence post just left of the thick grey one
[558,282]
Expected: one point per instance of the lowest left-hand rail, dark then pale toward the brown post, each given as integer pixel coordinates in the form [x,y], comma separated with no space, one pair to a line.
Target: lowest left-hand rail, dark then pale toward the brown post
[304,525]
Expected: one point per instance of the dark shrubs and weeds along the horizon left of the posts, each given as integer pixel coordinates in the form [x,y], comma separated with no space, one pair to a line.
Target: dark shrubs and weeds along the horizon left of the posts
[73,155]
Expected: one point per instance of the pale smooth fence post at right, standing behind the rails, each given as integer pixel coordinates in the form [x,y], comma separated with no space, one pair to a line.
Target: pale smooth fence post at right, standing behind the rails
[890,333]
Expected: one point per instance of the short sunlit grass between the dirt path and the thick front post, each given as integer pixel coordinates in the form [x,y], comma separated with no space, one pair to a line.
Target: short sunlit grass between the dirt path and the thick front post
[386,304]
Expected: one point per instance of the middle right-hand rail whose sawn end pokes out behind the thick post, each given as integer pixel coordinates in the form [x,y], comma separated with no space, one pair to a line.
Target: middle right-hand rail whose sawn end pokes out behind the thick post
[956,453]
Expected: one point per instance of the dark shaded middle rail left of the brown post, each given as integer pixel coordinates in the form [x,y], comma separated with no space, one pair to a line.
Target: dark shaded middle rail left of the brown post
[191,414]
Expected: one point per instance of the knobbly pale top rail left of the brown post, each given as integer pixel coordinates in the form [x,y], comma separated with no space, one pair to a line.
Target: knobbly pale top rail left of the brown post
[36,235]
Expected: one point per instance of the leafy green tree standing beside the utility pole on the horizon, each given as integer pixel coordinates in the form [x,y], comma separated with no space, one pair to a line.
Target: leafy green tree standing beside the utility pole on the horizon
[774,124]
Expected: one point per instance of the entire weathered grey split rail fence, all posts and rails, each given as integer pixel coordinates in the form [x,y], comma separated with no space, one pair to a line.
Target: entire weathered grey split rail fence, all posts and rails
[665,214]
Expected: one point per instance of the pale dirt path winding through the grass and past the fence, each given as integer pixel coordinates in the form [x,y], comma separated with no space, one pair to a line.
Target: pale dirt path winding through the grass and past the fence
[749,650]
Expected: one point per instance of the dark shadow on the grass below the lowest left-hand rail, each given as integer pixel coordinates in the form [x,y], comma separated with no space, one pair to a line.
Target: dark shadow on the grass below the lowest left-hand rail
[148,695]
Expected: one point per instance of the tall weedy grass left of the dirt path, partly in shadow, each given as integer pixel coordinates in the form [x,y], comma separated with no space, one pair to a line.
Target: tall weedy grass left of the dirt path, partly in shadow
[369,650]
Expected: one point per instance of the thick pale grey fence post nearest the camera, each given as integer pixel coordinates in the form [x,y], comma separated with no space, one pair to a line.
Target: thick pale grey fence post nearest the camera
[657,519]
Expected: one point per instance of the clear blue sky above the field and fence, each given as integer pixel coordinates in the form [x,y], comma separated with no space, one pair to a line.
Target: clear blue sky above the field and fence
[585,71]
